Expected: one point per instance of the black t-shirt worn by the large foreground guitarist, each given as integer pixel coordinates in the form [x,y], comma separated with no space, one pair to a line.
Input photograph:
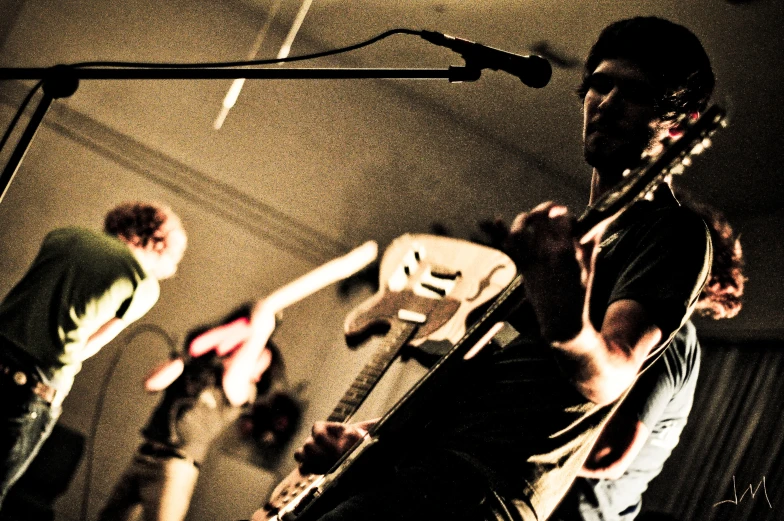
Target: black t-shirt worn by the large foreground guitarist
[520,421]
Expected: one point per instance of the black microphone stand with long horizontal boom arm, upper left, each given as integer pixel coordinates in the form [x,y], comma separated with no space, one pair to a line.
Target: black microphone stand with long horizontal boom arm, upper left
[62,81]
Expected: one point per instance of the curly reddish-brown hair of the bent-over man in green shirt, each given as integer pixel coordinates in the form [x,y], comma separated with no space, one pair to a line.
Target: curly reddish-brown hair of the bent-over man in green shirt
[136,220]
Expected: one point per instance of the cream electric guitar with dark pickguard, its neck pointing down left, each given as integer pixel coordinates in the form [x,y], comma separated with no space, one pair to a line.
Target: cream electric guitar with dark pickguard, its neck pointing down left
[430,284]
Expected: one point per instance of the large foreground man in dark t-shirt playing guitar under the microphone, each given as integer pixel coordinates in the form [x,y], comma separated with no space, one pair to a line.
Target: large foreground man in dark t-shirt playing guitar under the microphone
[513,438]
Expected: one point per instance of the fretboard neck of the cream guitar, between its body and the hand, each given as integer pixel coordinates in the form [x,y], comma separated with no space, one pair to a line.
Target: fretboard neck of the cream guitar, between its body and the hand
[385,349]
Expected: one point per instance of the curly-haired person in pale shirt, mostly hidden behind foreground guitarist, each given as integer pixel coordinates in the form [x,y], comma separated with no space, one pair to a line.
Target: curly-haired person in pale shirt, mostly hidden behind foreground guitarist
[641,435]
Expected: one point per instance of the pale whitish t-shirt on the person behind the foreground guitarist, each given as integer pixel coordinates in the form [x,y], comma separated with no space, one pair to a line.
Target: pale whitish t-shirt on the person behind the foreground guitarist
[661,399]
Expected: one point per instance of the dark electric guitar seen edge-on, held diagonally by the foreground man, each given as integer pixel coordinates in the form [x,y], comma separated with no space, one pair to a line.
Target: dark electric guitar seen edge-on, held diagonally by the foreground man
[634,186]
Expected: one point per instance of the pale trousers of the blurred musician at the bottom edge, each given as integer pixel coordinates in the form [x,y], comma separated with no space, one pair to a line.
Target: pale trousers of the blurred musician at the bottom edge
[161,486]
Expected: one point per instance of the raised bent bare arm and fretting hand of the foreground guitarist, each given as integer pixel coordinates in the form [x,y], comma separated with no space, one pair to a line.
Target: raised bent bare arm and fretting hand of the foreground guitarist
[558,274]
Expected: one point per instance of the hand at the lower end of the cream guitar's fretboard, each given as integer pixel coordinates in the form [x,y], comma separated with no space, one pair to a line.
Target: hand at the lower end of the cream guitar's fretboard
[327,443]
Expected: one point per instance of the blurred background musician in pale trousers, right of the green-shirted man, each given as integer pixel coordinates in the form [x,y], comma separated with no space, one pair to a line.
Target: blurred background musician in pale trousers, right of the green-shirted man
[193,410]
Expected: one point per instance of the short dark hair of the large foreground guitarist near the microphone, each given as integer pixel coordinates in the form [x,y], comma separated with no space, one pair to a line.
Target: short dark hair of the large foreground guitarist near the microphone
[670,55]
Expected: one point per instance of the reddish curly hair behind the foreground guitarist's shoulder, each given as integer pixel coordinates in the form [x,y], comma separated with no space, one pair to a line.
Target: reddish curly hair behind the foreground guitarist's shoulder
[722,294]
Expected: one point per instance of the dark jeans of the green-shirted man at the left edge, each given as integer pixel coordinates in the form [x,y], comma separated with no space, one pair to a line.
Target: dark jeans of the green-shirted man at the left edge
[26,420]
